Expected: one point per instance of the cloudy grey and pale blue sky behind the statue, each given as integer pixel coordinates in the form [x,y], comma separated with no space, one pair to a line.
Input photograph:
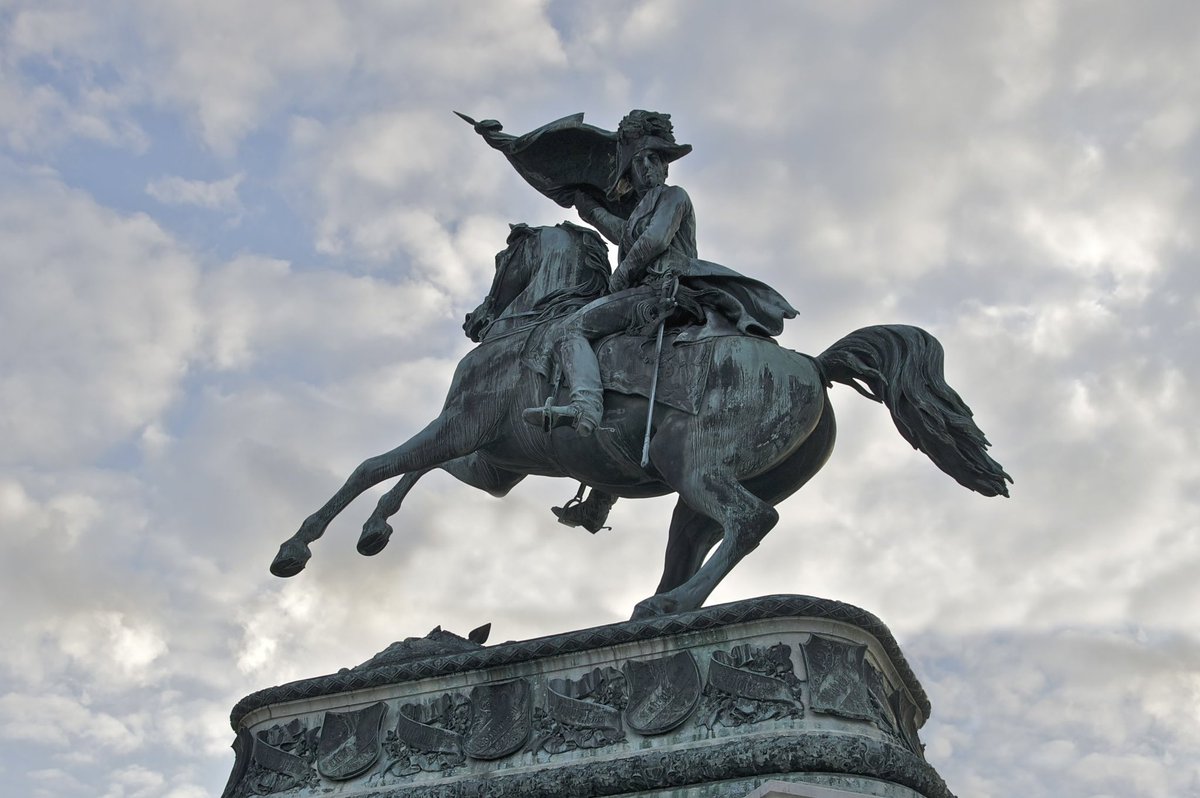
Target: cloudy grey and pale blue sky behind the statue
[238,242]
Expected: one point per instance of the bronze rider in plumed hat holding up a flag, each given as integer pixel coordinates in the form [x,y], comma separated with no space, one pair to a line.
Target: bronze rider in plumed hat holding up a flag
[659,278]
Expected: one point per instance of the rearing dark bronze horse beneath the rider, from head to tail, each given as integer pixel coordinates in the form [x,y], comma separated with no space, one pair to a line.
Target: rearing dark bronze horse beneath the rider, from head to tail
[764,425]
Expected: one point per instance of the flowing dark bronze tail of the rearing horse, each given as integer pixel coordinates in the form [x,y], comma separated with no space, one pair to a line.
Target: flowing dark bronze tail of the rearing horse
[902,368]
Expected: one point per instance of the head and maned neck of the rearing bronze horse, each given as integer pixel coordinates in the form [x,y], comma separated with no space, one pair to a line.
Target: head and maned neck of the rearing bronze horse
[541,269]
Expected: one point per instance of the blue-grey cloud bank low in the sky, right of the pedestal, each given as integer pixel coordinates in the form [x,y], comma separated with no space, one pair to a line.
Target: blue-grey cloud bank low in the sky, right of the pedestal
[1102,710]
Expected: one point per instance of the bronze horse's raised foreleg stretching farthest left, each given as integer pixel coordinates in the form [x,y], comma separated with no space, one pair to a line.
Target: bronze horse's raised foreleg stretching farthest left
[447,437]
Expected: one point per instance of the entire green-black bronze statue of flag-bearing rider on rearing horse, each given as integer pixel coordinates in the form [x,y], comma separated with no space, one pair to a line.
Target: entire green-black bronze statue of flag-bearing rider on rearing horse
[734,427]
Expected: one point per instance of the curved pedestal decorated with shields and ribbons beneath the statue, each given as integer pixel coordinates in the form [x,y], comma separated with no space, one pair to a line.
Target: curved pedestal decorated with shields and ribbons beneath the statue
[777,697]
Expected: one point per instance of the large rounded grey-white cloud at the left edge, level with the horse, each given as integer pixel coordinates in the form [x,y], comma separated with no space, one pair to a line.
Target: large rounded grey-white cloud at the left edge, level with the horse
[98,320]
